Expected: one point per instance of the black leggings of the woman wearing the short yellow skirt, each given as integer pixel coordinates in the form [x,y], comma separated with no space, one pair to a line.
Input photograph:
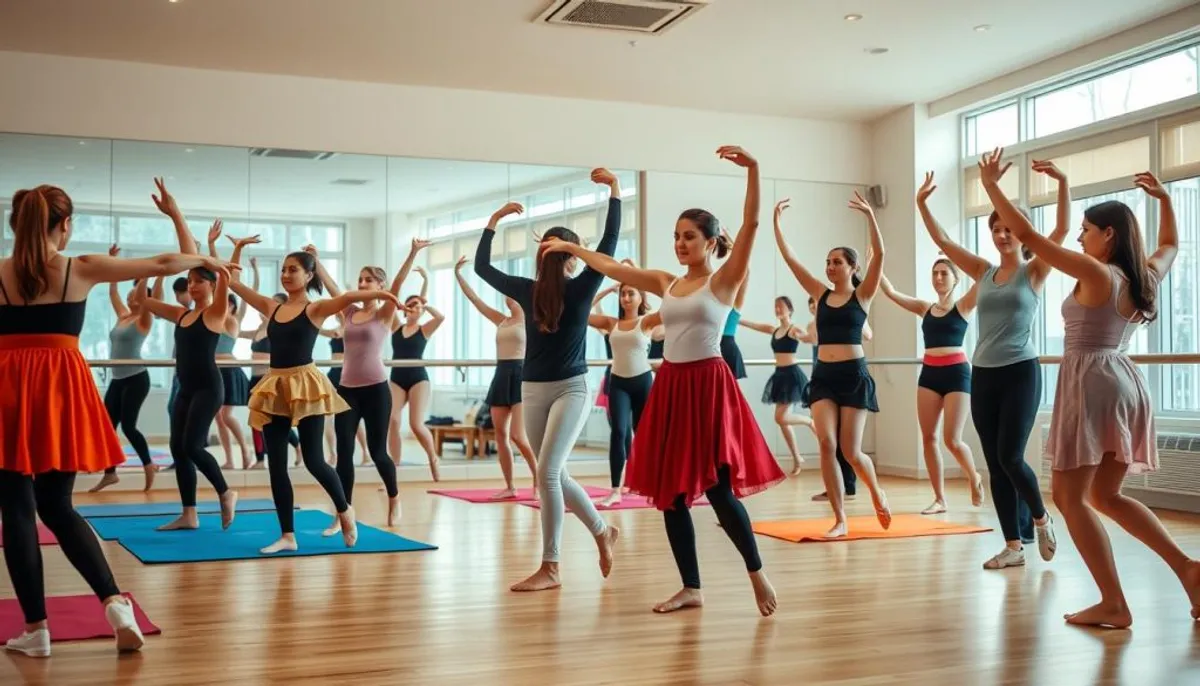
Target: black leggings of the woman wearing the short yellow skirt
[313,431]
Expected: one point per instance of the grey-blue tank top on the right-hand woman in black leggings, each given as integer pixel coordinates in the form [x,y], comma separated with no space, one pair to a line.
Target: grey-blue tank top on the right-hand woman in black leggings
[1006,320]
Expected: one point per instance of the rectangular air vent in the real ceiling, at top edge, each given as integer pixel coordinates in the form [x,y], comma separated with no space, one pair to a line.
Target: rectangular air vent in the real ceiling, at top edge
[640,16]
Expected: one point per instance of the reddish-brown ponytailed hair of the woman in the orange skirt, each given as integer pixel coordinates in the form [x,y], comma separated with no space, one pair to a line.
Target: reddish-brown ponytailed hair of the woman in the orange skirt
[35,214]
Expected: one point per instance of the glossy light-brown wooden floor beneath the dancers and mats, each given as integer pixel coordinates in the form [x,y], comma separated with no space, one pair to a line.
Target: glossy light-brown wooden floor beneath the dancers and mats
[911,611]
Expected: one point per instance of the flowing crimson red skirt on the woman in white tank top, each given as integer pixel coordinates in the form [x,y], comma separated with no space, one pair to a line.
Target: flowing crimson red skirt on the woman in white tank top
[695,422]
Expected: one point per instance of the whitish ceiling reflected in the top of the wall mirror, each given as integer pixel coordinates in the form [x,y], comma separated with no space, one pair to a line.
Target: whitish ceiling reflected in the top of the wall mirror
[230,182]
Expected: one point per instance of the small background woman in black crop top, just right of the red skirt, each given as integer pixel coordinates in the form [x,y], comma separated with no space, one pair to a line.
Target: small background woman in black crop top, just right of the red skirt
[787,386]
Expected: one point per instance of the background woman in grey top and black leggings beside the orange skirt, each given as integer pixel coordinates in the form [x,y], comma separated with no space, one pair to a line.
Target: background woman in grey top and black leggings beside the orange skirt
[129,387]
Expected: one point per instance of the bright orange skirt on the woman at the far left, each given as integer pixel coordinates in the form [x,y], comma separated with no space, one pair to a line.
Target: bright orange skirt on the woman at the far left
[52,418]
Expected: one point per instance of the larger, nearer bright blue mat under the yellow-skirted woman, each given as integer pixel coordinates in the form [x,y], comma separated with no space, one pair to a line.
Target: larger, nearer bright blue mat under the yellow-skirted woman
[243,540]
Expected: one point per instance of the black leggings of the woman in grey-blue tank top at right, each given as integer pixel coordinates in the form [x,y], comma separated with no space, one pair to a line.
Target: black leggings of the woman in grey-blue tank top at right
[1004,407]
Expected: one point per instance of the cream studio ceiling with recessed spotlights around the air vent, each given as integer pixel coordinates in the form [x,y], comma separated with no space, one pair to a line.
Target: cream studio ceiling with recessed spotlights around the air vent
[790,58]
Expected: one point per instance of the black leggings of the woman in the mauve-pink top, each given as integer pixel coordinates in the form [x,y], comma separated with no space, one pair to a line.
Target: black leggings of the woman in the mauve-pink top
[373,406]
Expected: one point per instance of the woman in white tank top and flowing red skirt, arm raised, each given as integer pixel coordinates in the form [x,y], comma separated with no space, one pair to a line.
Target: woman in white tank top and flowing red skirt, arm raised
[699,435]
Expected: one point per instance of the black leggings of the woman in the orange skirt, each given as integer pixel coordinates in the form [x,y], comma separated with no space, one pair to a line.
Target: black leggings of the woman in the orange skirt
[49,496]
